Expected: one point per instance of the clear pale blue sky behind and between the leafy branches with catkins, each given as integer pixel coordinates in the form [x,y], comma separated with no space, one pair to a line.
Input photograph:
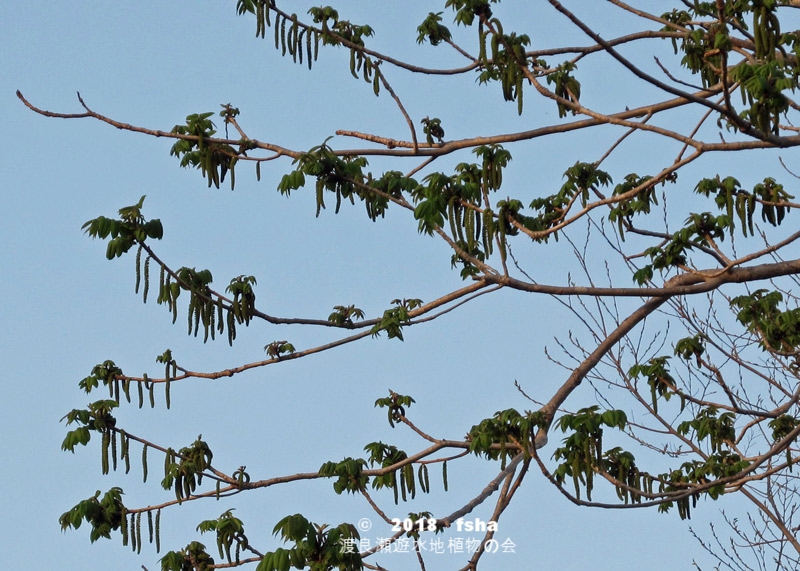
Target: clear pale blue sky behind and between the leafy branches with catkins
[66,307]
